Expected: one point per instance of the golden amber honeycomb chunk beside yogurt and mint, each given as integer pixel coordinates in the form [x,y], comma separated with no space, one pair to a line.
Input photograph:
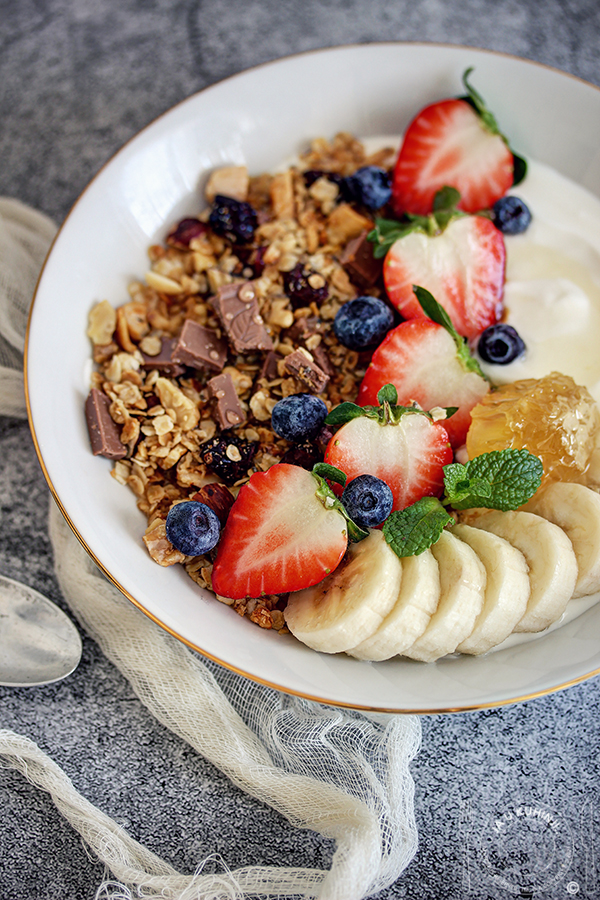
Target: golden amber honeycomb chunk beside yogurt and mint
[552,417]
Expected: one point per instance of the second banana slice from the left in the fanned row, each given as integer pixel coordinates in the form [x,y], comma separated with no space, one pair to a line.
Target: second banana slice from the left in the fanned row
[417,600]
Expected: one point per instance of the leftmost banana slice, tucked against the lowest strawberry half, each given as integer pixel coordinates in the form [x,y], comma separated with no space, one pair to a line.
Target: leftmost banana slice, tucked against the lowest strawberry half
[351,603]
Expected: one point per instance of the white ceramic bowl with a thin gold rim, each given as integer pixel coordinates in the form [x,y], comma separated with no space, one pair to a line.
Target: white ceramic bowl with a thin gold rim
[260,118]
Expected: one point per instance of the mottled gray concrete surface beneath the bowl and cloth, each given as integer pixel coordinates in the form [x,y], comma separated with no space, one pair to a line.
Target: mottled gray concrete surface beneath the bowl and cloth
[77,79]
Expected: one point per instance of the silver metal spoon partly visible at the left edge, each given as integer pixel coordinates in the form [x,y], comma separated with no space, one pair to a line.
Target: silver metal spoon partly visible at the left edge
[38,643]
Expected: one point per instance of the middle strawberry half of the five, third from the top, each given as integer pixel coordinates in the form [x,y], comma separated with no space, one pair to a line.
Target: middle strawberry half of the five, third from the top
[419,358]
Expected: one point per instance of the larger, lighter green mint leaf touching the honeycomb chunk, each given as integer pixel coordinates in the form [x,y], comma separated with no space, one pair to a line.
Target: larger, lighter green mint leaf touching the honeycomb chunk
[502,479]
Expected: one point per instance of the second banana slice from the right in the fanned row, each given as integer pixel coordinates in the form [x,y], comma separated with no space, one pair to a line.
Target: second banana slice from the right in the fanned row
[549,555]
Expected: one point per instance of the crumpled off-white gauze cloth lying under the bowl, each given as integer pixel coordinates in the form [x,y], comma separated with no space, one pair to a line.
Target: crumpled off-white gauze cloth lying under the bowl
[338,772]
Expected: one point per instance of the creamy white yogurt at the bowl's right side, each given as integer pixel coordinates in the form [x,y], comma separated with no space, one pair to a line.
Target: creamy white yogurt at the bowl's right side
[552,291]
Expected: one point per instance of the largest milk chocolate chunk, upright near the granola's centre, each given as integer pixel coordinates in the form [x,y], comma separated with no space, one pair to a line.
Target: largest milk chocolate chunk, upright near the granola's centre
[237,307]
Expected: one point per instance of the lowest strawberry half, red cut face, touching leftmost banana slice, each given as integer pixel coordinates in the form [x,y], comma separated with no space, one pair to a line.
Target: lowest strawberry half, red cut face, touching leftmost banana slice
[279,536]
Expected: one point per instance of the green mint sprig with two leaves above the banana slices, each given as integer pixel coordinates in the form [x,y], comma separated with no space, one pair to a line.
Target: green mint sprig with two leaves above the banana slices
[501,479]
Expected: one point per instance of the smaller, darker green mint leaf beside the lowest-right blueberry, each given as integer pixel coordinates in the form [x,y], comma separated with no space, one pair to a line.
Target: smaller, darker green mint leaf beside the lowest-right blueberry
[413,530]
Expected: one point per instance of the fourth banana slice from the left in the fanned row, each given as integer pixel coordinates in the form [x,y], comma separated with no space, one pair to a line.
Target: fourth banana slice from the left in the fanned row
[506,591]
